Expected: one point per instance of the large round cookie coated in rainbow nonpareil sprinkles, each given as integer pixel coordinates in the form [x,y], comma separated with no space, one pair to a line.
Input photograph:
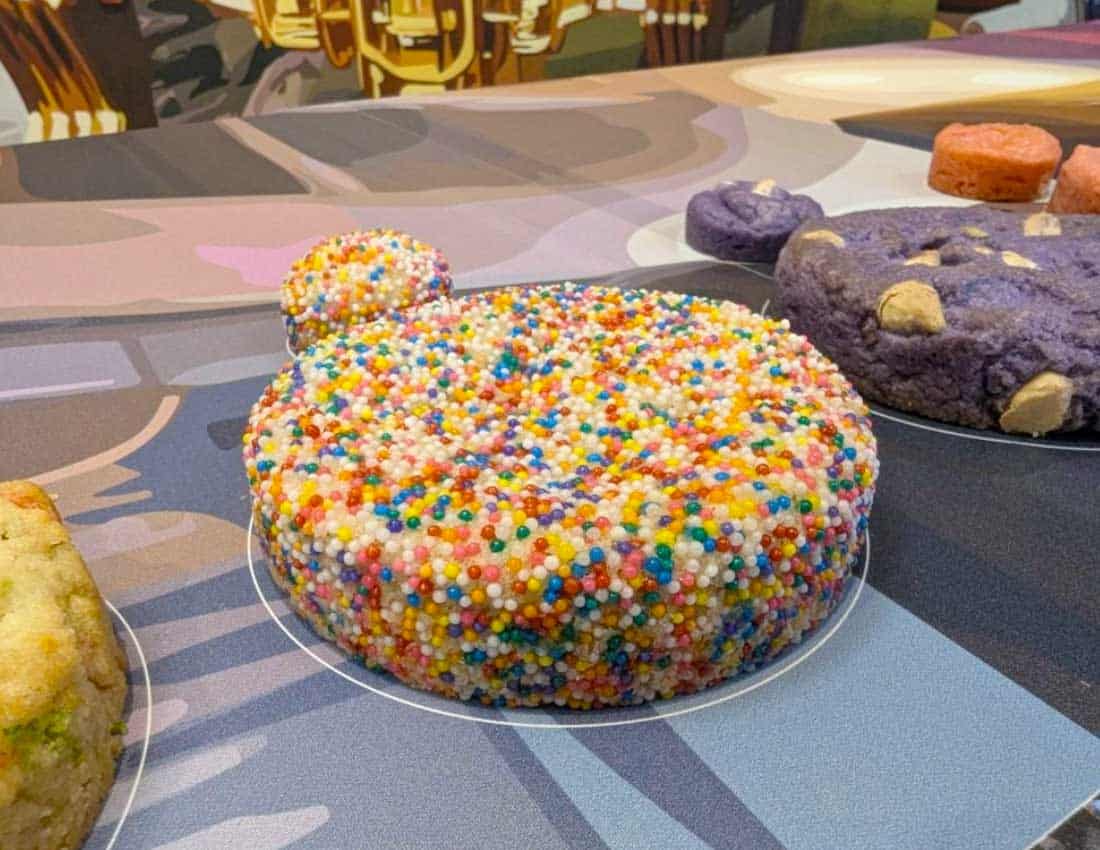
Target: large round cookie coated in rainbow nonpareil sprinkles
[563,495]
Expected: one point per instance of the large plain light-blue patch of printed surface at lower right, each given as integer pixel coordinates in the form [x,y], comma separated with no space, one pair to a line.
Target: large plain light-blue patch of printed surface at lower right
[895,737]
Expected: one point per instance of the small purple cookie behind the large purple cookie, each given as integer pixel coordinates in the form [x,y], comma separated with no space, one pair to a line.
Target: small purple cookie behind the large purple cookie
[747,222]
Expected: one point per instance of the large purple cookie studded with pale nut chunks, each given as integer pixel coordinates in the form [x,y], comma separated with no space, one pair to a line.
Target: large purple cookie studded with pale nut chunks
[975,316]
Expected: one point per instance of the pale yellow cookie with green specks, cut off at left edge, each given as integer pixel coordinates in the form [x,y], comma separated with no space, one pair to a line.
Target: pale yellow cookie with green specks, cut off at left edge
[62,681]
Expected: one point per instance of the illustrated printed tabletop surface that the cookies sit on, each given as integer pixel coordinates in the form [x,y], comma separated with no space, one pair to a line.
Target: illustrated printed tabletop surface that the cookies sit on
[952,703]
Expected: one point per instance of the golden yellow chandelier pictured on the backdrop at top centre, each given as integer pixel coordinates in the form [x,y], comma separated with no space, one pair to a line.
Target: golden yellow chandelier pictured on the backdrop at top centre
[416,47]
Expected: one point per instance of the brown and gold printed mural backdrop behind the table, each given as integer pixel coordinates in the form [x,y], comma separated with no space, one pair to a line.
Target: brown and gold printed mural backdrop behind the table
[87,68]
